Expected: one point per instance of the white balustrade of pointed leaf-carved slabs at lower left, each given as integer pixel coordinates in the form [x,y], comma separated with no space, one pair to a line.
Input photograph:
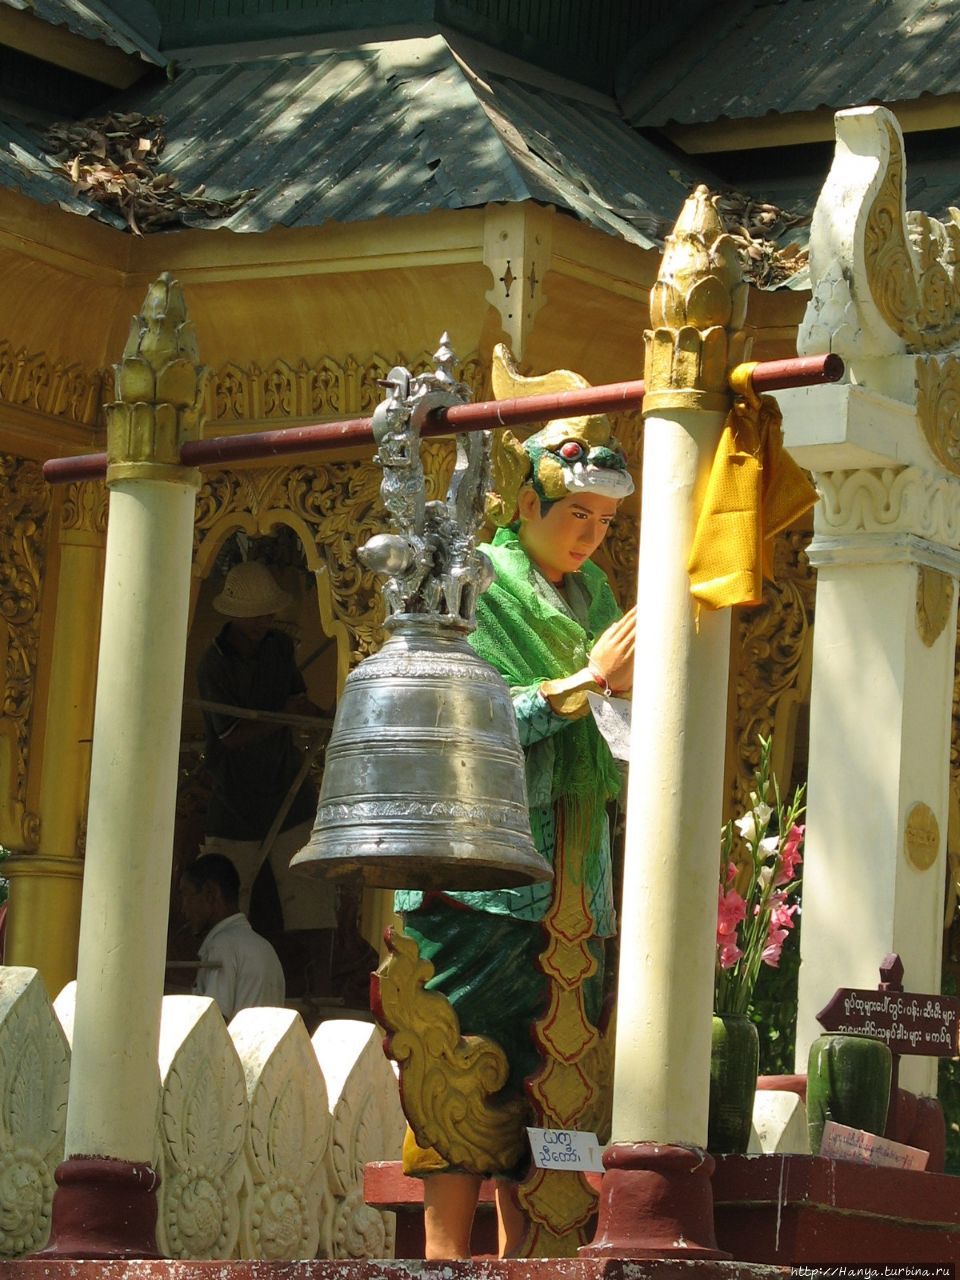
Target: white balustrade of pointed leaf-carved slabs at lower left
[262,1136]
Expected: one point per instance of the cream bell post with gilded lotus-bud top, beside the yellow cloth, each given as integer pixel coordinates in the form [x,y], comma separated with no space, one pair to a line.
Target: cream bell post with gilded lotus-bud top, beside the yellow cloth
[669,927]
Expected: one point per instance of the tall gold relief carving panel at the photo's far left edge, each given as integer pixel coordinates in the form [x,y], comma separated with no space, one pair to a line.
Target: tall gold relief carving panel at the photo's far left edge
[25,504]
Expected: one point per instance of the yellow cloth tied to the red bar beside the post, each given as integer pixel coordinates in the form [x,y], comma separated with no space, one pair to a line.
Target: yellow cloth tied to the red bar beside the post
[753,492]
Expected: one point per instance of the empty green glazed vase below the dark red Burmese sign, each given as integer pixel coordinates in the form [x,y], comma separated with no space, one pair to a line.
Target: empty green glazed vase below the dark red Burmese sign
[848,1081]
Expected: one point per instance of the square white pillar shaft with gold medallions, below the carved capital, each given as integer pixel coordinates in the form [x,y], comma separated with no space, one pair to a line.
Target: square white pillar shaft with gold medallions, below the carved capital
[880,746]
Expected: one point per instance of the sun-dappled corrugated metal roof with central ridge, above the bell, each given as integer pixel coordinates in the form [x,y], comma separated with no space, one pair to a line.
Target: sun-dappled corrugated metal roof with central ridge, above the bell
[396,130]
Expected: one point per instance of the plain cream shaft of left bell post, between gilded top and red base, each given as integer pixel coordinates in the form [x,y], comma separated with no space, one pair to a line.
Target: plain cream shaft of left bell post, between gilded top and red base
[115,1076]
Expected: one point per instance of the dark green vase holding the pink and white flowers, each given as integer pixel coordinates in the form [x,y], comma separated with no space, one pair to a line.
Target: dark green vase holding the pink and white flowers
[735,1058]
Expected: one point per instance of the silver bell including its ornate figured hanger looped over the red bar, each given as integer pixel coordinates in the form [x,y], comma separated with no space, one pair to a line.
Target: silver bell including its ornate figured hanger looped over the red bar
[424,783]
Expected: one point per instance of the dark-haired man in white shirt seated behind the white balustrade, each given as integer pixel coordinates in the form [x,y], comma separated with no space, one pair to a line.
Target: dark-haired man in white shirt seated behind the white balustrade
[244,970]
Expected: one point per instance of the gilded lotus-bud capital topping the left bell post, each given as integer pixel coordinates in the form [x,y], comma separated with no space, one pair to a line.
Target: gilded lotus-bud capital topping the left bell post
[159,390]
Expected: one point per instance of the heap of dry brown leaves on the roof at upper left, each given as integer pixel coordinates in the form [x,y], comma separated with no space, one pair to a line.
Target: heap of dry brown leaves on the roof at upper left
[115,159]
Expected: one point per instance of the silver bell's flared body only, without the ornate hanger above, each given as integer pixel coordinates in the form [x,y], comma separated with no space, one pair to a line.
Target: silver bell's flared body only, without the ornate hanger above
[424,781]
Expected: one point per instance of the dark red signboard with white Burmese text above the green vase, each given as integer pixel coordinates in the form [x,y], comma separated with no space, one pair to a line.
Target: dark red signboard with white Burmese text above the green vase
[906,1021]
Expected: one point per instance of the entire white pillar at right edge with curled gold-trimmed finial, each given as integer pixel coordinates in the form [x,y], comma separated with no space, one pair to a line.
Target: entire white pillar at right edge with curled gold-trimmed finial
[884,451]
